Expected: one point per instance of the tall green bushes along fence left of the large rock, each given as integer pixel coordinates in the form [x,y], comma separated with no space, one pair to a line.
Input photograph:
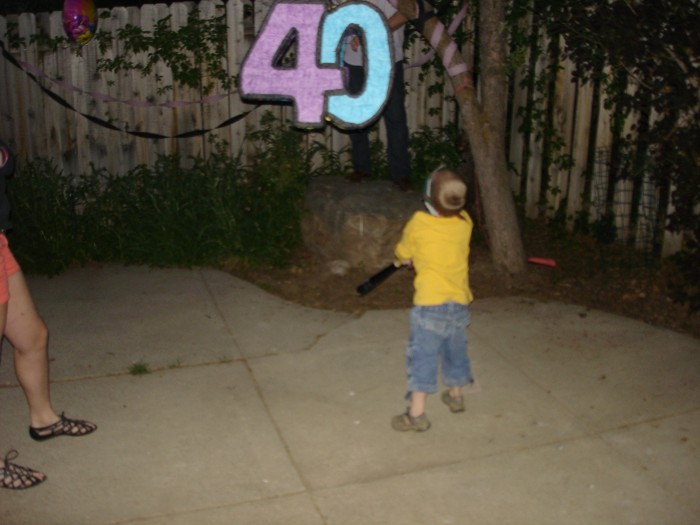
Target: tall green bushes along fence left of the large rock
[165,215]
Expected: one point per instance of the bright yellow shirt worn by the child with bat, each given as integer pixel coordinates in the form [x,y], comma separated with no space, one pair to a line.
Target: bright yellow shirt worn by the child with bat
[439,250]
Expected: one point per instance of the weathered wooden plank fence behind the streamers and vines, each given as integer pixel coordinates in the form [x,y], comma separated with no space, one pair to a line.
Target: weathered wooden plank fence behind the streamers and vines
[40,127]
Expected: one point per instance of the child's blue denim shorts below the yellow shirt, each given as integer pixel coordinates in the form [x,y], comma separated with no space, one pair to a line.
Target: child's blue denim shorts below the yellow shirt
[438,338]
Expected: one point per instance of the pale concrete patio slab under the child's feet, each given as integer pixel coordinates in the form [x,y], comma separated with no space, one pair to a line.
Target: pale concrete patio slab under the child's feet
[258,411]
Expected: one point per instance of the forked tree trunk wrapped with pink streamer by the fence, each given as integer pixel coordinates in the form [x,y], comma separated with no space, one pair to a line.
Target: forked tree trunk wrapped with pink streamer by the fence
[484,121]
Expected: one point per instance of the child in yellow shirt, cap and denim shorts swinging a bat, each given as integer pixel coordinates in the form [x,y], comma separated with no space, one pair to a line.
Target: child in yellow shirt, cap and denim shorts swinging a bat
[436,244]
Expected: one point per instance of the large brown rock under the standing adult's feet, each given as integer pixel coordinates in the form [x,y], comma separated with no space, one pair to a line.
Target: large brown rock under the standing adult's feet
[358,223]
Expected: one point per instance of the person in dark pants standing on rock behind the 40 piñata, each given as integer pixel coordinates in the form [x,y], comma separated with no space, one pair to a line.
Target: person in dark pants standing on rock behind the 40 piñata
[394,113]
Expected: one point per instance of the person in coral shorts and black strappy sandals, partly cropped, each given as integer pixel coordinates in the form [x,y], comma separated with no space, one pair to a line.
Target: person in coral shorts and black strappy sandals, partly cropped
[23,327]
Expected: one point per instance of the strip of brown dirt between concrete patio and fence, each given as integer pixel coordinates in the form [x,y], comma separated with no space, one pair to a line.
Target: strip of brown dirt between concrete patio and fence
[584,275]
